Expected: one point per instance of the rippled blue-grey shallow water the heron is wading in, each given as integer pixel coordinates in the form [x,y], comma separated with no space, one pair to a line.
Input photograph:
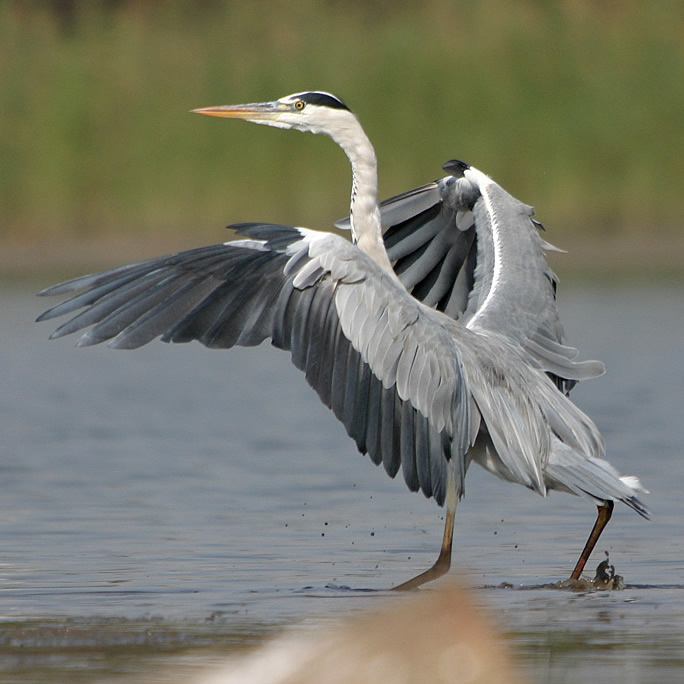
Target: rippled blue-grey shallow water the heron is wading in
[156,502]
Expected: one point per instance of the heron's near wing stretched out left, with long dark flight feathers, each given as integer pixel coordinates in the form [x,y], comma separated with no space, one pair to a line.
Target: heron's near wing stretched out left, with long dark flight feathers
[403,407]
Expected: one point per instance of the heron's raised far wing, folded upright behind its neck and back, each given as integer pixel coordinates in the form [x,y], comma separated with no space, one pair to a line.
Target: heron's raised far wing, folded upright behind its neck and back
[440,240]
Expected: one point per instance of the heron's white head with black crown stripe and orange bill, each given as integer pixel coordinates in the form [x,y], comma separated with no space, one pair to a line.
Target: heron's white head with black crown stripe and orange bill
[313,112]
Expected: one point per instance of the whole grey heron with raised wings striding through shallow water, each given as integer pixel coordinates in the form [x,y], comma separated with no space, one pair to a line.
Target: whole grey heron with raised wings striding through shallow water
[436,344]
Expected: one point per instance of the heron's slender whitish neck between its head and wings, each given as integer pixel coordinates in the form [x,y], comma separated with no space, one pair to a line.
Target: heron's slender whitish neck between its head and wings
[364,211]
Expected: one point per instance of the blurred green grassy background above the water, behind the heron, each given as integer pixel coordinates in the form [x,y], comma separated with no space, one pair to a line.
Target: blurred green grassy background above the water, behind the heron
[574,106]
